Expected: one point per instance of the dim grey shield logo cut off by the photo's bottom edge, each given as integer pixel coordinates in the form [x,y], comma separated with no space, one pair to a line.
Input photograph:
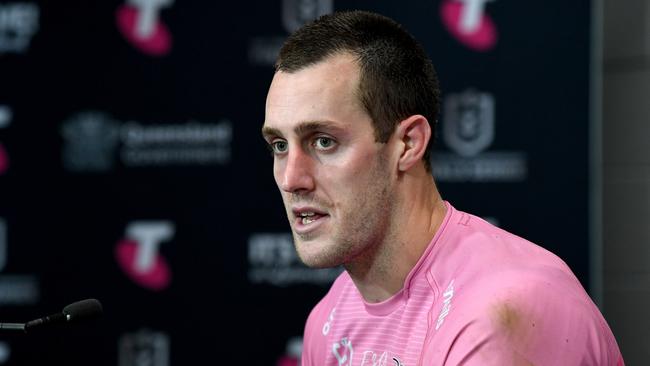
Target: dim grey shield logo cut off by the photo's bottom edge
[144,348]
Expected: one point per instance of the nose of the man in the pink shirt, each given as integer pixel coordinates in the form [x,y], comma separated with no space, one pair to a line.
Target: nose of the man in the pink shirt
[297,173]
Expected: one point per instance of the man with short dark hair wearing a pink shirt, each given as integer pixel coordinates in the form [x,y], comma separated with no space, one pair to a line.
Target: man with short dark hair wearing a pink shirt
[349,119]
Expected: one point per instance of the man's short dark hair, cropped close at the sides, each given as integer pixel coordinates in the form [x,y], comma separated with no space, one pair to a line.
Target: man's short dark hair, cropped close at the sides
[397,78]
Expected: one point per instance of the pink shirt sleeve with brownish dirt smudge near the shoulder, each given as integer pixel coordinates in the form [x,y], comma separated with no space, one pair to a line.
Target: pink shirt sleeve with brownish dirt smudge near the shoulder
[539,323]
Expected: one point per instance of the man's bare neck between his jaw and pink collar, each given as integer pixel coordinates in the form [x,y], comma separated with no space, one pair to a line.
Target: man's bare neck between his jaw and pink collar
[380,274]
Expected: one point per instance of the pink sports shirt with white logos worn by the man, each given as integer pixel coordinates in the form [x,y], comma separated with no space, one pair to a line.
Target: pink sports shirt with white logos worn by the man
[478,296]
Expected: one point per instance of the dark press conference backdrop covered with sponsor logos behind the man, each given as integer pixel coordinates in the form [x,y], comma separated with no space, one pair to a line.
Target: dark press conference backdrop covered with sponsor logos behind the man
[132,168]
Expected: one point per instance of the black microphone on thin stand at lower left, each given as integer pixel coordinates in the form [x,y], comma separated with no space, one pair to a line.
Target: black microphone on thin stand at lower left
[75,312]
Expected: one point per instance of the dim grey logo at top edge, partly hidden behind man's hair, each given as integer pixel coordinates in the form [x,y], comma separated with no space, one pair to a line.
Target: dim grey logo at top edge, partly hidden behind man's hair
[263,50]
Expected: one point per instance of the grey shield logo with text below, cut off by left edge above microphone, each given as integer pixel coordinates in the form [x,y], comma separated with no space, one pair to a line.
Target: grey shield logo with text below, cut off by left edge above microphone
[14,289]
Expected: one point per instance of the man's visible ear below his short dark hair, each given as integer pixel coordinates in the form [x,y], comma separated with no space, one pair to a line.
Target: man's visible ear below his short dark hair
[414,132]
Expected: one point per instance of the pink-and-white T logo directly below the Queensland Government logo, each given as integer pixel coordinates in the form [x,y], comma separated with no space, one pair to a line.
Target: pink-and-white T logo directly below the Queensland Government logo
[139,257]
